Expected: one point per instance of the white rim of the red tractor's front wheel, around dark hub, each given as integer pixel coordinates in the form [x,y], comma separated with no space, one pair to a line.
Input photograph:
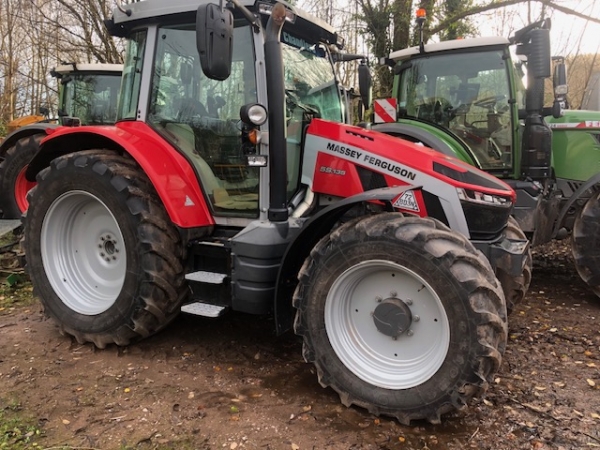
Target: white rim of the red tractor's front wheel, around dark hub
[405,362]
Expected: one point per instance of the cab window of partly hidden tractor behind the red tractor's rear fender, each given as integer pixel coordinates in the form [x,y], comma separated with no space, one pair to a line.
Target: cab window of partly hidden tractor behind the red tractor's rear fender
[92,98]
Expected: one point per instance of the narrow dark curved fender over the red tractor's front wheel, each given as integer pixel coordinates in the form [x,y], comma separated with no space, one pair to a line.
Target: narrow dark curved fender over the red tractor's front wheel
[312,231]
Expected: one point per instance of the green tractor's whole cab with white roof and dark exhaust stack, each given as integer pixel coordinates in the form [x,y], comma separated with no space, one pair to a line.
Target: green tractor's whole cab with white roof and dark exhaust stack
[472,95]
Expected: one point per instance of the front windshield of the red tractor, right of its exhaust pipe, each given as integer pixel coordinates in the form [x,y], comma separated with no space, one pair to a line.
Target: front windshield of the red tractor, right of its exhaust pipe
[310,83]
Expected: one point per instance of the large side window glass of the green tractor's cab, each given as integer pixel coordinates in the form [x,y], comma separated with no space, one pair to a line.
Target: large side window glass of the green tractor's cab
[467,93]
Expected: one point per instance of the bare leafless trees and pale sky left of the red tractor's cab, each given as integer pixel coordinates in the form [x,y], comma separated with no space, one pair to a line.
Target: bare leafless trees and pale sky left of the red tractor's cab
[36,35]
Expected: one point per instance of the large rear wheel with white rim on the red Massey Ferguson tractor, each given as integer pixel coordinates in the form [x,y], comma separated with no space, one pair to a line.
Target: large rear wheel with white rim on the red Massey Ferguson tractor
[102,254]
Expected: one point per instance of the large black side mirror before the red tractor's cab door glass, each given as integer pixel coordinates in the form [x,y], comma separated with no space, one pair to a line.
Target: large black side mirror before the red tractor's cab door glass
[214,40]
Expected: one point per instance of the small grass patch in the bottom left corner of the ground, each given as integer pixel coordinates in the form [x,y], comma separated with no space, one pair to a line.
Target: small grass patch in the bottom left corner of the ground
[17,431]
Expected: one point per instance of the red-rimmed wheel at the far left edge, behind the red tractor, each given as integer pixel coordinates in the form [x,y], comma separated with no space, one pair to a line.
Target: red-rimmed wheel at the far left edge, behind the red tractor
[13,184]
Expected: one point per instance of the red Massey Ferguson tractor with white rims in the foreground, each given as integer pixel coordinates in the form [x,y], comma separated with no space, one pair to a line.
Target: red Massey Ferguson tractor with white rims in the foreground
[230,182]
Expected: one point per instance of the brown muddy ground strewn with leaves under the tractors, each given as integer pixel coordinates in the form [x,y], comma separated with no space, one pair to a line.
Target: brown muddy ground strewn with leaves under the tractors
[230,383]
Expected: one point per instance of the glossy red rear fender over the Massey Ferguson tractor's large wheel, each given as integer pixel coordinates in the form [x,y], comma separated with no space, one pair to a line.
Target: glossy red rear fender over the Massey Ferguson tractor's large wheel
[171,174]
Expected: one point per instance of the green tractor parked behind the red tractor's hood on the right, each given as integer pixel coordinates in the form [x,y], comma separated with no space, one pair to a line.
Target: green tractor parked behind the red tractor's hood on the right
[482,100]
